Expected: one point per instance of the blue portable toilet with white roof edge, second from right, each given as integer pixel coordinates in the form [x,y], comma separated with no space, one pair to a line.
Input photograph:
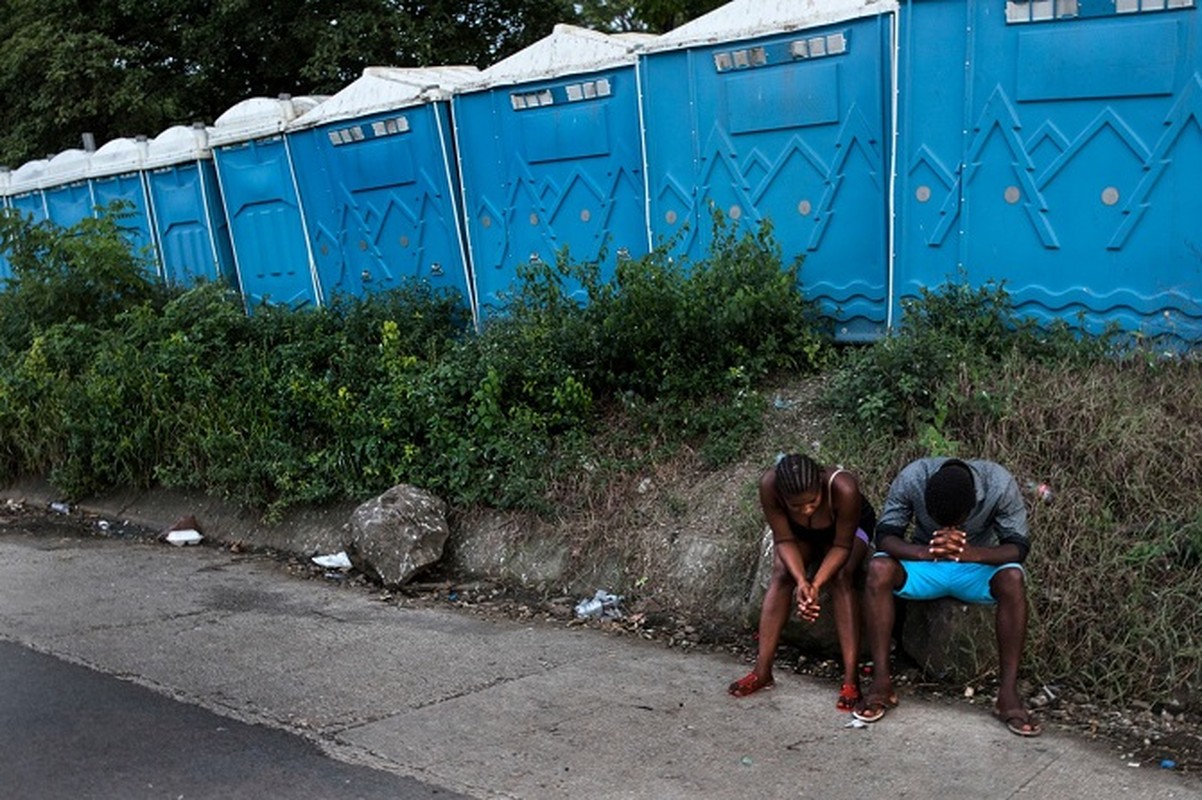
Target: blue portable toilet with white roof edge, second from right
[779,111]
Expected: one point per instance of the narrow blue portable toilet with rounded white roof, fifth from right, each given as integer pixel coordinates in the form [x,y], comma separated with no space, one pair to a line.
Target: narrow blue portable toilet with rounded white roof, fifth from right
[259,192]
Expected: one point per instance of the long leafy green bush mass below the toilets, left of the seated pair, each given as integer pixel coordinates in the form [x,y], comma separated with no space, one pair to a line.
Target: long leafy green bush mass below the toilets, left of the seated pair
[284,408]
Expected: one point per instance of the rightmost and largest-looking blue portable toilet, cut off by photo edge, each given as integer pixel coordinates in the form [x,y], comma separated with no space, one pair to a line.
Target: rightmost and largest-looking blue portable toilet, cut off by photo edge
[1055,145]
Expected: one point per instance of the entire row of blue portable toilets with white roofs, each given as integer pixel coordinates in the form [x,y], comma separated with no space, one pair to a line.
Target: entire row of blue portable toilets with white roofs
[1052,145]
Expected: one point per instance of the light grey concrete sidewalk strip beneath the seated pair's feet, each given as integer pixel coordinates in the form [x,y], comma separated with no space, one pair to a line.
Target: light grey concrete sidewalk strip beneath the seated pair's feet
[498,709]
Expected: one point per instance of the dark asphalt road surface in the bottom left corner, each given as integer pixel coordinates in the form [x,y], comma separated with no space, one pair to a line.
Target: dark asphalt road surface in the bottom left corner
[72,733]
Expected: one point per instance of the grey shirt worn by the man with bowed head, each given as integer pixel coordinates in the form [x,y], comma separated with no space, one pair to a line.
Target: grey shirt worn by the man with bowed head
[998,518]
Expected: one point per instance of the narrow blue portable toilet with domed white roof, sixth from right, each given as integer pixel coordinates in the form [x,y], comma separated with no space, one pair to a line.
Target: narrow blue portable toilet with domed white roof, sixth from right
[186,208]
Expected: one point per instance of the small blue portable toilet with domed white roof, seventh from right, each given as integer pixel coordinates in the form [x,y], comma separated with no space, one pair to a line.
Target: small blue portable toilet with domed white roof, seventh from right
[116,174]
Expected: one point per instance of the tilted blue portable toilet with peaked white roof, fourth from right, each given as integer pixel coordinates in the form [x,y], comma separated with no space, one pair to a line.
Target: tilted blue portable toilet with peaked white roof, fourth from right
[377,176]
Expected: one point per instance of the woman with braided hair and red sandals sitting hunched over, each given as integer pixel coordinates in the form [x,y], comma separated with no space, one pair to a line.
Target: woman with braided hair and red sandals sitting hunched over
[820,530]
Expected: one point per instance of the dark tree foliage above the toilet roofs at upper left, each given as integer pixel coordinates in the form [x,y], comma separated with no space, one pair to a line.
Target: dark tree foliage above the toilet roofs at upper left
[128,68]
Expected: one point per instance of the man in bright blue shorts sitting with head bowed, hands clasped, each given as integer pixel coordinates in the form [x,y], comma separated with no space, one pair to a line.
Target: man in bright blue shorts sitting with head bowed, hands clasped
[969,540]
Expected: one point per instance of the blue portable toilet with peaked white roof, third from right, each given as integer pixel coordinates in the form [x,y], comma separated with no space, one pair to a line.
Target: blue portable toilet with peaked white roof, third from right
[551,158]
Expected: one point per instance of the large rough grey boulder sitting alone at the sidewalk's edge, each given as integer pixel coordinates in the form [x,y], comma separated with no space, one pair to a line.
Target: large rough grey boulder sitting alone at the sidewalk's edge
[398,534]
